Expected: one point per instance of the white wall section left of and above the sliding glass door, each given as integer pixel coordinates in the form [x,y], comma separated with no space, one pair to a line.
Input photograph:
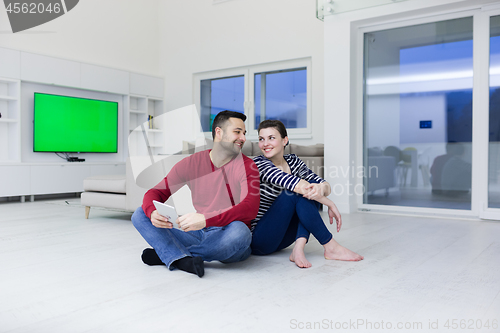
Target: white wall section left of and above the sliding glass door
[342,81]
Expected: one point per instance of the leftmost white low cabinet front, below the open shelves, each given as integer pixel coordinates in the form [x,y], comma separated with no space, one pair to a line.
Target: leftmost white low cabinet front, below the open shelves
[14,180]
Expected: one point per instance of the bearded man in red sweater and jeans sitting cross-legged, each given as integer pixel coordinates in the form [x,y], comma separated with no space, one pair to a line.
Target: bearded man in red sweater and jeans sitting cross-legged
[224,186]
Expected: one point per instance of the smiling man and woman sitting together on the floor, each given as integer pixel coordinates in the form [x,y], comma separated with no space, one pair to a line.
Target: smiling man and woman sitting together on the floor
[243,206]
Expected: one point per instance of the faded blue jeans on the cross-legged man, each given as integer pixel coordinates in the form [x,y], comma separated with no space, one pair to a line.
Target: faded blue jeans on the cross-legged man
[226,244]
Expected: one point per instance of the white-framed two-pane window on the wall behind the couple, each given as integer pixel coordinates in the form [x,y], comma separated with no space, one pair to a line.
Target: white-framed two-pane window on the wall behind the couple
[270,91]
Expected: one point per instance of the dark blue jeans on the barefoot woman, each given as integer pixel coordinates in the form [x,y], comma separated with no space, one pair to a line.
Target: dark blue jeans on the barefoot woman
[291,216]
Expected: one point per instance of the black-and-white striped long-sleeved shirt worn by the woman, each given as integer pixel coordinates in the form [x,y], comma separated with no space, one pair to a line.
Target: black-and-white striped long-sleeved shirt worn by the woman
[273,180]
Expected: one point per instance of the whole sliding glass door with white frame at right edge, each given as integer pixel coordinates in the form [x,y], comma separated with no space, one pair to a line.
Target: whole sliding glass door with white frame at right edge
[431,115]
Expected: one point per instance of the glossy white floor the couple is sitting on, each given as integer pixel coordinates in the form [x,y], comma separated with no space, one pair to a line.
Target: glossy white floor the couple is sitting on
[62,273]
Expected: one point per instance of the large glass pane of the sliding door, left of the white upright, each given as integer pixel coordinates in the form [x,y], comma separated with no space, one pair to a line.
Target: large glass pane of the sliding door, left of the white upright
[418,87]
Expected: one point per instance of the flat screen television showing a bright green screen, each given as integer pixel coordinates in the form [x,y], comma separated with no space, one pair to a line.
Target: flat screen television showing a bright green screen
[73,124]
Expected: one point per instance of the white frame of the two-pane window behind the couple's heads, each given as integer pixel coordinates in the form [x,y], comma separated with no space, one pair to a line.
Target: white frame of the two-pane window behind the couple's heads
[249,92]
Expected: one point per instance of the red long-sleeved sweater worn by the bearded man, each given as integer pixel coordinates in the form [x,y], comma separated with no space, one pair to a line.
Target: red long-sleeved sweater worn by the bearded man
[223,195]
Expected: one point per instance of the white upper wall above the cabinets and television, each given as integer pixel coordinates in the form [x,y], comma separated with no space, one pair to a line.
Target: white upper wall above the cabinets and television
[121,34]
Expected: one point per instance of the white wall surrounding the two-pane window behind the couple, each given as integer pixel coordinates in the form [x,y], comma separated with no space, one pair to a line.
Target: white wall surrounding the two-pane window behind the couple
[197,36]
